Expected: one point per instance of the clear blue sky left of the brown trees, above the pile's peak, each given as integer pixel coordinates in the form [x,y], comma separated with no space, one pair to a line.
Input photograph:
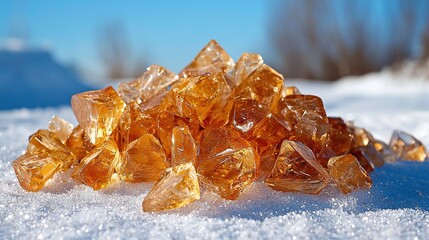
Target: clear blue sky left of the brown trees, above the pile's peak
[168,33]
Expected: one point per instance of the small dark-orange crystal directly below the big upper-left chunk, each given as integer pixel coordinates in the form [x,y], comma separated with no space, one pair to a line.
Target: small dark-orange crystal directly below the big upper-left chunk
[79,143]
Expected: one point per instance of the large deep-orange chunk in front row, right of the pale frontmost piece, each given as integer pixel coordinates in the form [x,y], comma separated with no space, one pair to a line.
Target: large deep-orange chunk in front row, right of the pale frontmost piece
[227,163]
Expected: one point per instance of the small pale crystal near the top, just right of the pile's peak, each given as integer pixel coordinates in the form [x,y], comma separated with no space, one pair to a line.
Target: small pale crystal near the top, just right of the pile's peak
[246,64]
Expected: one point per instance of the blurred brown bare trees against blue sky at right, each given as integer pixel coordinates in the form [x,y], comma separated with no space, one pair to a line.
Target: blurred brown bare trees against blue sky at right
[329,39]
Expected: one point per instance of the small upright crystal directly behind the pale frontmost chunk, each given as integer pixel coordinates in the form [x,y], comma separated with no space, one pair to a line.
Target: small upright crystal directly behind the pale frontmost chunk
[183,147]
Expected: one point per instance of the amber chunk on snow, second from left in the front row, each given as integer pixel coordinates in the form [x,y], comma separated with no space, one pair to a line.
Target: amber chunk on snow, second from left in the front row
[96,168]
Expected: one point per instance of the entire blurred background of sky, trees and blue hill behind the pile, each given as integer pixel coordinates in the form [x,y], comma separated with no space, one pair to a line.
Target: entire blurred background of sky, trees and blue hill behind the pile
[50,50]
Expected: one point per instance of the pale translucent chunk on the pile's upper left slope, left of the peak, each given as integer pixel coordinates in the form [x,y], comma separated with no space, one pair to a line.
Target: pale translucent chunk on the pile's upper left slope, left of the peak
[149,89]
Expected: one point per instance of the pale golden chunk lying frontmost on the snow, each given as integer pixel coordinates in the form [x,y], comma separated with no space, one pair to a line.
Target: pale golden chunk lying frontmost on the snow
[178,187]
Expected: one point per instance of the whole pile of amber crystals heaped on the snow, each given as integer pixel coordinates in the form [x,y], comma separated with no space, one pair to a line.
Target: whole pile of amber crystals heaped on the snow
[219,124]
